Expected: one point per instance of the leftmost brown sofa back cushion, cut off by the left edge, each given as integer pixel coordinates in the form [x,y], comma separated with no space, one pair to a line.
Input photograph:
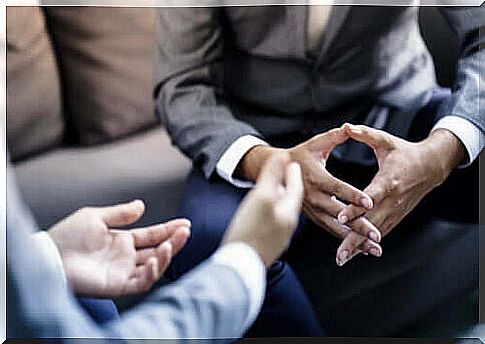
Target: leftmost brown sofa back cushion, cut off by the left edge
[34,114]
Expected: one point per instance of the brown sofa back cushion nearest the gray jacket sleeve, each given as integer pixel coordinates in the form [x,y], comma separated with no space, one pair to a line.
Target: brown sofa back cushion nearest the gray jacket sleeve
[106,57]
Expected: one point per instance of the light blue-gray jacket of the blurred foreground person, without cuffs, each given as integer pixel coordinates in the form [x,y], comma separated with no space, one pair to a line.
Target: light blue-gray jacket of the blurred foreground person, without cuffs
[209,302]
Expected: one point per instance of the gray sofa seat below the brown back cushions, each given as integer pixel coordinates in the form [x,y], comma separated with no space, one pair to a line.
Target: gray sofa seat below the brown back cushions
[145,166]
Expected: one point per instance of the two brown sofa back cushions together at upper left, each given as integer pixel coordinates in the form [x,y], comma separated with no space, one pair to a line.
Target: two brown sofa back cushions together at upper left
[81,75]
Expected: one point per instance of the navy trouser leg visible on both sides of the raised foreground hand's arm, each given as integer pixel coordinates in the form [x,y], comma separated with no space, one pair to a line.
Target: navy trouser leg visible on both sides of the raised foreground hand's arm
[210,205]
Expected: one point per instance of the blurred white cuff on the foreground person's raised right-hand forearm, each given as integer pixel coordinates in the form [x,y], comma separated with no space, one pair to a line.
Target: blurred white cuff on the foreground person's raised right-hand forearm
[243,259]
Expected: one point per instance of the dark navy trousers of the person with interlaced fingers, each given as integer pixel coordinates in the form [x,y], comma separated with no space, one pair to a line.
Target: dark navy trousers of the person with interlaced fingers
[426,262]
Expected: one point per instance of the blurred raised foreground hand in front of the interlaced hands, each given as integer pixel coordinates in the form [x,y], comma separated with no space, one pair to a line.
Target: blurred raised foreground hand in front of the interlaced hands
[268,215]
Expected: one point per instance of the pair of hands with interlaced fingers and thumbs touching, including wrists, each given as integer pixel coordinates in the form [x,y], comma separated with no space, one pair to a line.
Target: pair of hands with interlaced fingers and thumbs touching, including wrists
[407,172]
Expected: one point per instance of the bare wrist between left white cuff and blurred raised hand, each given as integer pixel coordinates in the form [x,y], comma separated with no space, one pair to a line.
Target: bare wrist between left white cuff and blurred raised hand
[250,165]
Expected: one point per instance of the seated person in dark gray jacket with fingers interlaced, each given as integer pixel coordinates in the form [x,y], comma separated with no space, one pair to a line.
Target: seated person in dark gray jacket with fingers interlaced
[237,84]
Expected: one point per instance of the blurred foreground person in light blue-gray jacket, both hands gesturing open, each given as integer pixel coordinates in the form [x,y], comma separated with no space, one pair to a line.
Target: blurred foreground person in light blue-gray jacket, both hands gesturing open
[220,298]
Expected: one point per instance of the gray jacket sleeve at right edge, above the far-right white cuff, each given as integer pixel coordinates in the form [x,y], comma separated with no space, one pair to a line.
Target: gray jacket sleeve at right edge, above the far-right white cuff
[468,98]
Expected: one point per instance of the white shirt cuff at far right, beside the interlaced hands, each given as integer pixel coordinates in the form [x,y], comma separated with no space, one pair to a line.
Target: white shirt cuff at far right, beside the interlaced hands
[468,133]
